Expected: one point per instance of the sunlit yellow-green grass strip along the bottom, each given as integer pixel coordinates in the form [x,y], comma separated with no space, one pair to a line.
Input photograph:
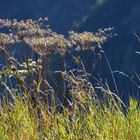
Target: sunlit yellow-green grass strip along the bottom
[20,121]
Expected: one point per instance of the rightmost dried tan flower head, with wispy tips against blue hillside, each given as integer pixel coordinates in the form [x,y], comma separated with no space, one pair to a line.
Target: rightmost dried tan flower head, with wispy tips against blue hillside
[88,40]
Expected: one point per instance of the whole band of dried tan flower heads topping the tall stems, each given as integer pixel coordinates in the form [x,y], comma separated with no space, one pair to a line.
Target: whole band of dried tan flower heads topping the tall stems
[44,41]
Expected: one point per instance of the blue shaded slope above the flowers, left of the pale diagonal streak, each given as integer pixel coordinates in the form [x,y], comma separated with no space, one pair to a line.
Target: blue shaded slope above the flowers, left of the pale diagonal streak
[61,13]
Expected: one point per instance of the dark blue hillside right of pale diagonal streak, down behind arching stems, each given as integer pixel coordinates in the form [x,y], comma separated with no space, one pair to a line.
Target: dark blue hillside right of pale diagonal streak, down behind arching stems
[124,17]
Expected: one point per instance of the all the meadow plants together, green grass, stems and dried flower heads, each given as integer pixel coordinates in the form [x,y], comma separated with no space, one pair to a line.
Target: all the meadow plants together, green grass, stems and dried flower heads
[40,103]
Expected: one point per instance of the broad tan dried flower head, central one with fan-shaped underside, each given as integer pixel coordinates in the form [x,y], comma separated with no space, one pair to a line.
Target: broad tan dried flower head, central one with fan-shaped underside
[47,45]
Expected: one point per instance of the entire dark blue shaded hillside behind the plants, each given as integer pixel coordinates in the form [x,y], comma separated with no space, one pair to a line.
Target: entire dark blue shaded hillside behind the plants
[90,15]
